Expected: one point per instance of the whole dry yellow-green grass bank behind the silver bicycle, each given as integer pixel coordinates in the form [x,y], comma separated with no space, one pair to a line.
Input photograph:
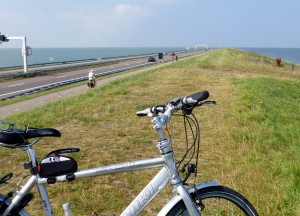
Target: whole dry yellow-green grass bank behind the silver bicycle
[249,141]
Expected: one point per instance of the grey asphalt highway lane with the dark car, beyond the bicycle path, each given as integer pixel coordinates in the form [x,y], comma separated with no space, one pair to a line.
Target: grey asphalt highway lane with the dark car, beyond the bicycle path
[16,87]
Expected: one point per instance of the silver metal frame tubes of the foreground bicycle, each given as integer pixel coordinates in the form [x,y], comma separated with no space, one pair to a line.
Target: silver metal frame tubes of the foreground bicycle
[136,206]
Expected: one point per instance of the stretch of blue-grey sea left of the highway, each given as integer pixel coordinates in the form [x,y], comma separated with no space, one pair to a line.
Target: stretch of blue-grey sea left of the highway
[12,57]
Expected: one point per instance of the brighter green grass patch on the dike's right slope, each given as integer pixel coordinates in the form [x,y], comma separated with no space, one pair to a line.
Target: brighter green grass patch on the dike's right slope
[269,123]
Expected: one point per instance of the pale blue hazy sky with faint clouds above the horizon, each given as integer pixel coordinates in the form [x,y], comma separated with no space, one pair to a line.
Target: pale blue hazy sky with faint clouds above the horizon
[151,23]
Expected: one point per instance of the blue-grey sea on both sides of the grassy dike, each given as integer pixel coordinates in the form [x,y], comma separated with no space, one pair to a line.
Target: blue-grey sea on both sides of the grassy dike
[12,57]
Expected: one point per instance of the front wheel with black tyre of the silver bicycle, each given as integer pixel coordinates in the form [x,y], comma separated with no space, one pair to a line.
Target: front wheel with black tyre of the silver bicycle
[218,200]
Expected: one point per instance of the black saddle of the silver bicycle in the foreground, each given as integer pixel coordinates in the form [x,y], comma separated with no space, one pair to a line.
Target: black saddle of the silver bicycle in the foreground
[18,138]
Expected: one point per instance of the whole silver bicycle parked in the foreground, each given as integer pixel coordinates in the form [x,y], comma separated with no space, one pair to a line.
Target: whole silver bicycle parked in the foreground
[206,198]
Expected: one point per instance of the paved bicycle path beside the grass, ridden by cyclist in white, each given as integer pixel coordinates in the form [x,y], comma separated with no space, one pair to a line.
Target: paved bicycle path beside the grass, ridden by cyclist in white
[42,100]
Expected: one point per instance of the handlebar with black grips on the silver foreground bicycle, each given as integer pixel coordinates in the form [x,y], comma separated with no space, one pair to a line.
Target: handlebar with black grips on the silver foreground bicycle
[186,104]
